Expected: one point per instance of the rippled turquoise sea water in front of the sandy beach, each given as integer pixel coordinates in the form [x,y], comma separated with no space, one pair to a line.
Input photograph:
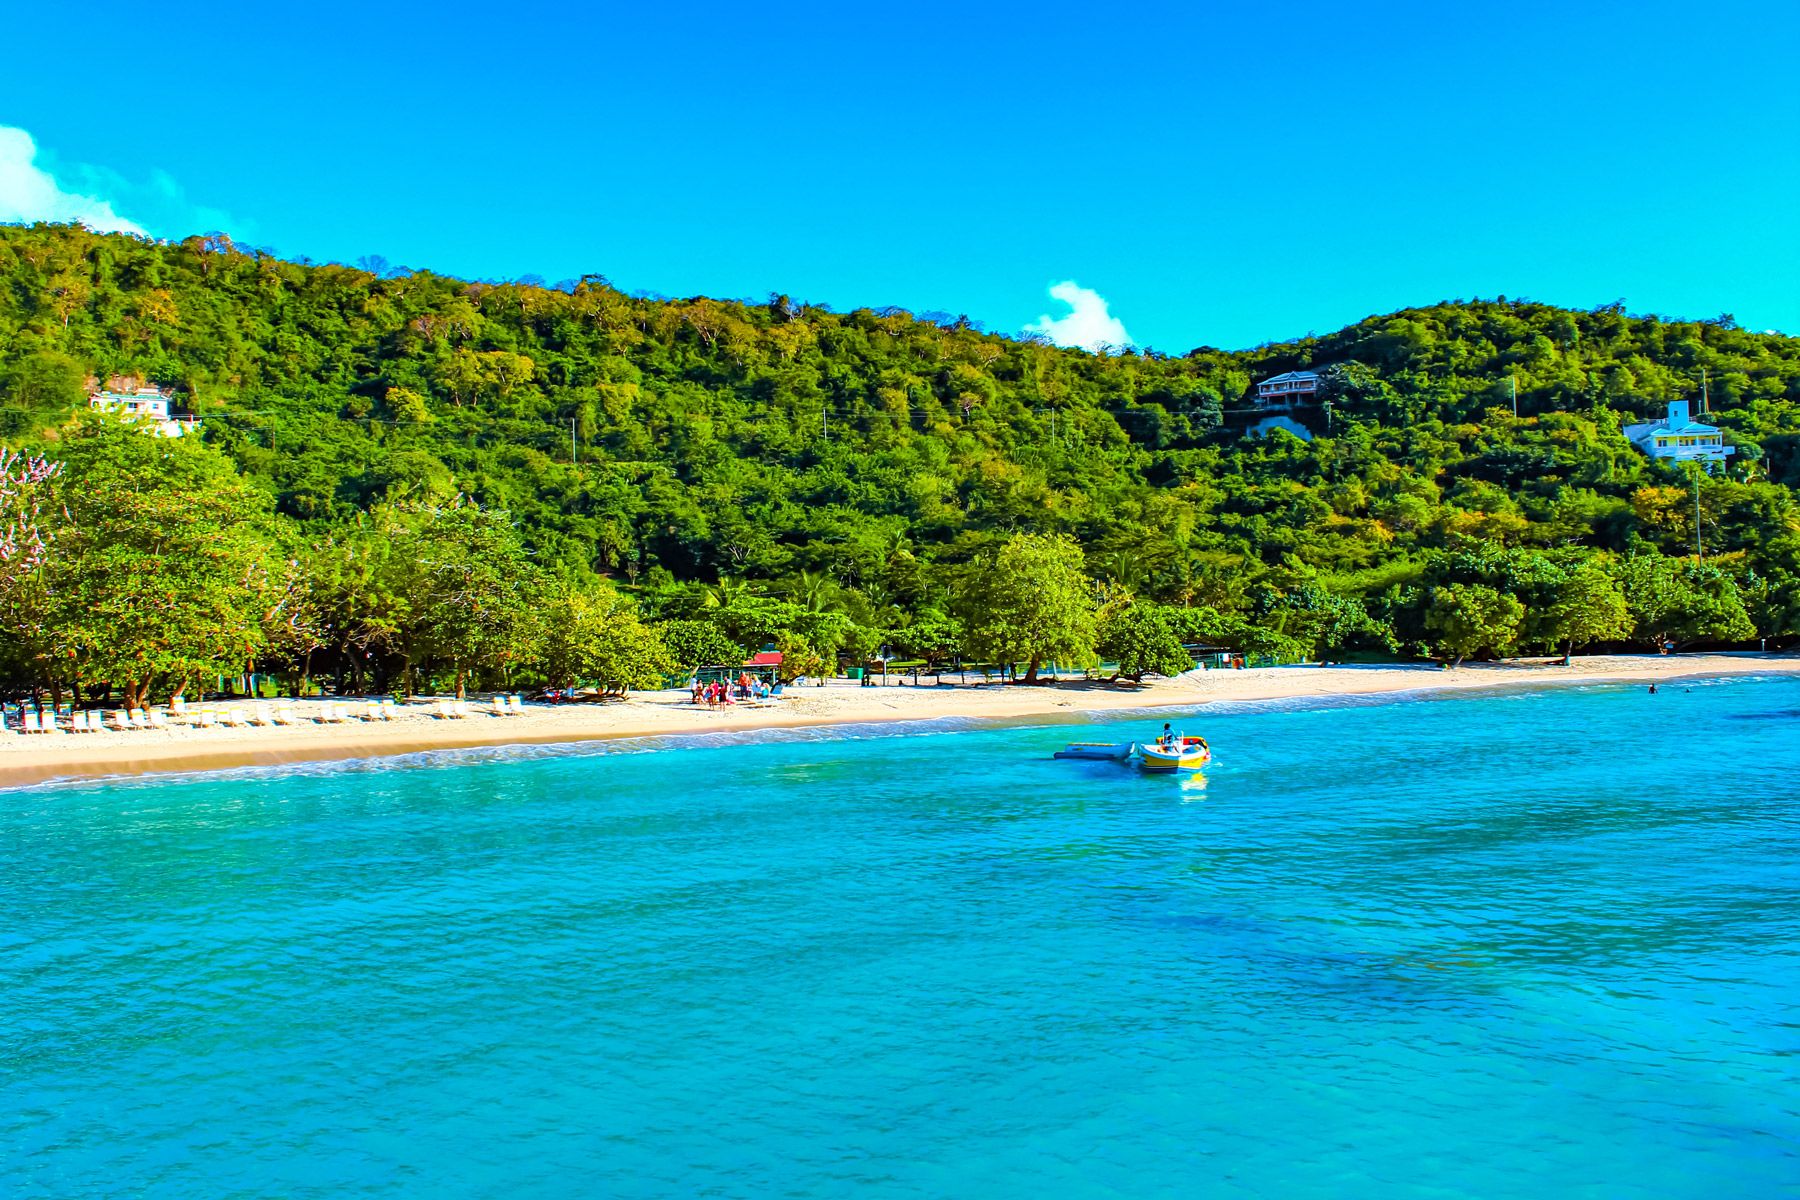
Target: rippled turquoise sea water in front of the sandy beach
[1529,945]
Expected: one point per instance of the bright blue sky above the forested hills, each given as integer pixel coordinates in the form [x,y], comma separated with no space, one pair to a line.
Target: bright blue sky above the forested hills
[1212,175]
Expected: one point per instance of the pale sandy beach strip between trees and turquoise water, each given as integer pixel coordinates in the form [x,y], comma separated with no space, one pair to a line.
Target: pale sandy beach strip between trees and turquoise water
[46,758]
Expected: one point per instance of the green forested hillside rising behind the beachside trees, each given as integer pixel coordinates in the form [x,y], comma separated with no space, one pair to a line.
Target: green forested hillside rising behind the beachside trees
[881,449]
